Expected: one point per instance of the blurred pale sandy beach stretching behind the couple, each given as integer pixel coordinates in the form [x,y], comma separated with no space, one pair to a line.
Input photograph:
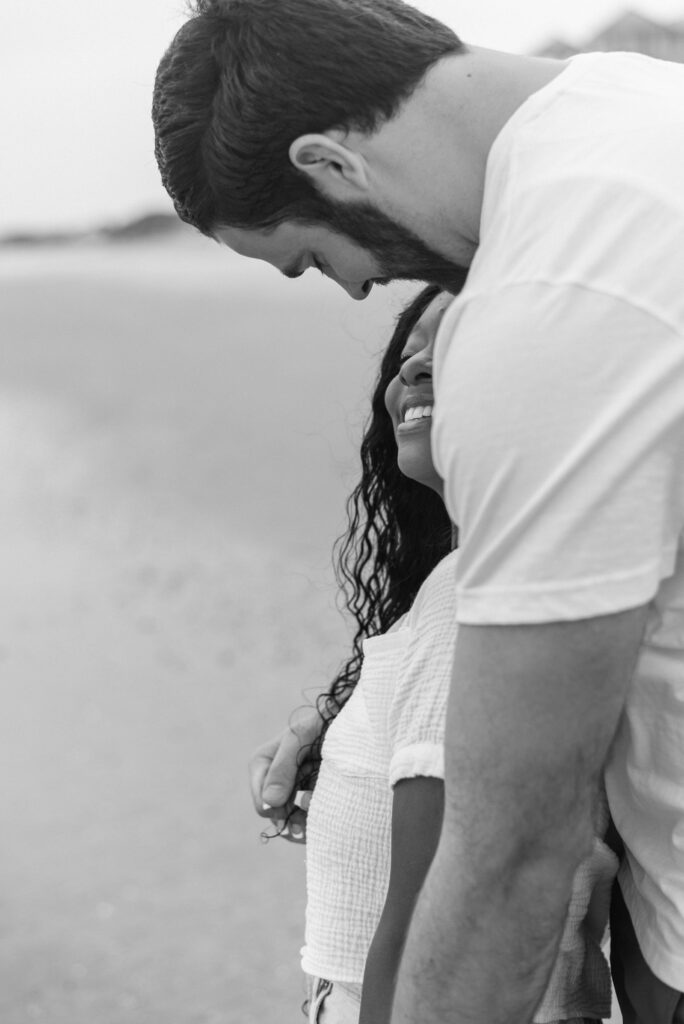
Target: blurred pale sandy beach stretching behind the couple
[179,432]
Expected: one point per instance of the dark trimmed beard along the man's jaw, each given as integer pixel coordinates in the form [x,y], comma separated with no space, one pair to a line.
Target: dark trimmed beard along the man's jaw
[401,254]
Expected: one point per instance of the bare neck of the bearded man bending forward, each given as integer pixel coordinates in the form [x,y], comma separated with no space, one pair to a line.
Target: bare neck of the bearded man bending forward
[431,160]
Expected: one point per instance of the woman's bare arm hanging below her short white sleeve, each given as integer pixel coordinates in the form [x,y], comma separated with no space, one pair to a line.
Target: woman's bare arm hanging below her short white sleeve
[417,814]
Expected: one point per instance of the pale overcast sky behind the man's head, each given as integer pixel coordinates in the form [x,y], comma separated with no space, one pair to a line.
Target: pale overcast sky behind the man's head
[77,144]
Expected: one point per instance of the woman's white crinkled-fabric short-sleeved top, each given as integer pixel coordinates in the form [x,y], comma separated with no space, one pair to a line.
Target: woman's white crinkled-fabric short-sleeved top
[393,728]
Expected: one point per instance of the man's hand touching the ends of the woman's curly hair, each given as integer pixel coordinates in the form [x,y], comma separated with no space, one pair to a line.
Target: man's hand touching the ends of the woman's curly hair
[273,772]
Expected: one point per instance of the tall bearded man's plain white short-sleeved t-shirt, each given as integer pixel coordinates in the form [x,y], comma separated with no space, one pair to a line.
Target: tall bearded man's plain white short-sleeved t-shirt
[560,420]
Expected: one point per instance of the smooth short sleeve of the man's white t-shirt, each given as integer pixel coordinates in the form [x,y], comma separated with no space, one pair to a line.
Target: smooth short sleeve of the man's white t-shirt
[560,431]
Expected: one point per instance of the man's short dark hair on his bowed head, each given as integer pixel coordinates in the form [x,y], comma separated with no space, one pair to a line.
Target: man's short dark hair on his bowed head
[243,79]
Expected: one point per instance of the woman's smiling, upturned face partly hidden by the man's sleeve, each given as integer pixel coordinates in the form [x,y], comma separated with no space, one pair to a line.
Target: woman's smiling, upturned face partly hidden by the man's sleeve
[409,399]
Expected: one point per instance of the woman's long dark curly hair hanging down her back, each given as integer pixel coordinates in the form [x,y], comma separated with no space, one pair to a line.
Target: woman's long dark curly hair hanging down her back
[398,532]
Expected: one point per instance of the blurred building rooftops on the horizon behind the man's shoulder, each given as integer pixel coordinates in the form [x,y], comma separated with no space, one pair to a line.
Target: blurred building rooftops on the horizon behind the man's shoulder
[632,33]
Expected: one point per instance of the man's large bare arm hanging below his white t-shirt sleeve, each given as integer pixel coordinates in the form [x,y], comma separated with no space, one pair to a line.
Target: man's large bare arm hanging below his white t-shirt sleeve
[533,713]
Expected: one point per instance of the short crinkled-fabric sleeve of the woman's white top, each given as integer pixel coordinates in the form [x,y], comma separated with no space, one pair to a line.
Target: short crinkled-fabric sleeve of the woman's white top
[418,712]
